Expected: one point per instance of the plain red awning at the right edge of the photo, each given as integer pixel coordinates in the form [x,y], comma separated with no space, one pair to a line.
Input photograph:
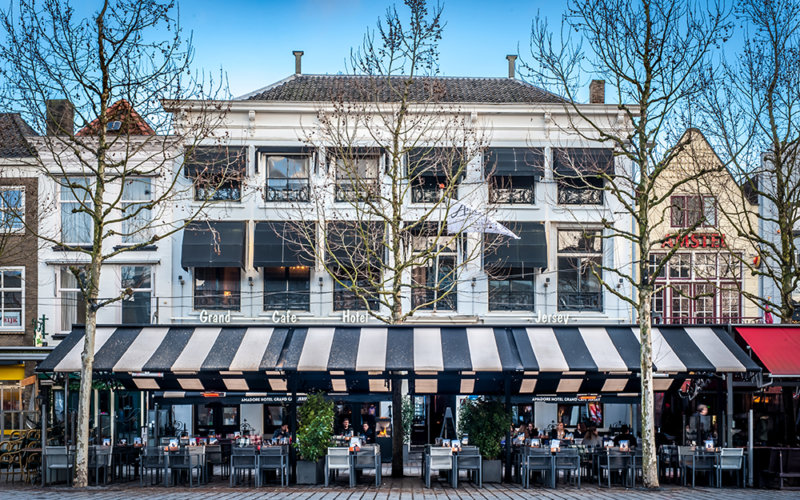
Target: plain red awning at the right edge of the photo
[777,348]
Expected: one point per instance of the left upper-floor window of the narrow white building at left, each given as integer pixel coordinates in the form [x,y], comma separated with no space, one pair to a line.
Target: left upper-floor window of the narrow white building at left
[76,223]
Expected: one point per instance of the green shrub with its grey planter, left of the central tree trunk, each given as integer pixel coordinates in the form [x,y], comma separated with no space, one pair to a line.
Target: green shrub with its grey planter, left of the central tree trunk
[314,431]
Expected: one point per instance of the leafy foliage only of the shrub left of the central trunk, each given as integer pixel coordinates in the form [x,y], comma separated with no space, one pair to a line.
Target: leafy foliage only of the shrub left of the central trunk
[315,427]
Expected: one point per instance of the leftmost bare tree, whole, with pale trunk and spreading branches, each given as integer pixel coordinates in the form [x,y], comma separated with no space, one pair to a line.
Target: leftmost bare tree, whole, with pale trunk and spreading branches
[117,172]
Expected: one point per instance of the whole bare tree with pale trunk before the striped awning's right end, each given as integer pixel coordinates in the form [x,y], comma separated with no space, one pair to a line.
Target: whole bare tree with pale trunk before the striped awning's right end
[649,51]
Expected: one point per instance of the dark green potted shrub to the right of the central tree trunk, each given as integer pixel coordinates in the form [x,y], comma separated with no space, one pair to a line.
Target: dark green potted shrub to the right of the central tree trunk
[485,421]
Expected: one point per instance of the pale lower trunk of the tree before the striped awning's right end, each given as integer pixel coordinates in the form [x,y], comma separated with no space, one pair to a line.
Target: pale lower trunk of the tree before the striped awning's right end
[648,442]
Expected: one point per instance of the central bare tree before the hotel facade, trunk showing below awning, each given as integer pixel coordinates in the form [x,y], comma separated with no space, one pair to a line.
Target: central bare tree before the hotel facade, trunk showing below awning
[396,153]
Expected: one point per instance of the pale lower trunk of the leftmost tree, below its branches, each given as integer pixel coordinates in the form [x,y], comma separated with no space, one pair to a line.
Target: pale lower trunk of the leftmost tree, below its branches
[84,405]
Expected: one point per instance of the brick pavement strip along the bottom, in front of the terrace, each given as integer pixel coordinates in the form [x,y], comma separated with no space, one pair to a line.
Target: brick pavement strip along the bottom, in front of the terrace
[391,489]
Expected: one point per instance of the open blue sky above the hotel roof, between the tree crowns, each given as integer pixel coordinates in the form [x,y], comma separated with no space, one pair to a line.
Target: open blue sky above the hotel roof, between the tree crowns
[253,40]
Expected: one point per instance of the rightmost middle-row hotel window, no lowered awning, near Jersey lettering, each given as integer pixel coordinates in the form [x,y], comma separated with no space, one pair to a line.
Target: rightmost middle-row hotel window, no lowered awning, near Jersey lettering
[579,259]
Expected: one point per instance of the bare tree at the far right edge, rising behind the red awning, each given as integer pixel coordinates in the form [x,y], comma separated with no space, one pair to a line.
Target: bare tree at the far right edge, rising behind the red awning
[751,111]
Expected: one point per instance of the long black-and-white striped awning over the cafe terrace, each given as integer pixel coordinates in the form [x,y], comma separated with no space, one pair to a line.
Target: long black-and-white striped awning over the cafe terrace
[437,359]
